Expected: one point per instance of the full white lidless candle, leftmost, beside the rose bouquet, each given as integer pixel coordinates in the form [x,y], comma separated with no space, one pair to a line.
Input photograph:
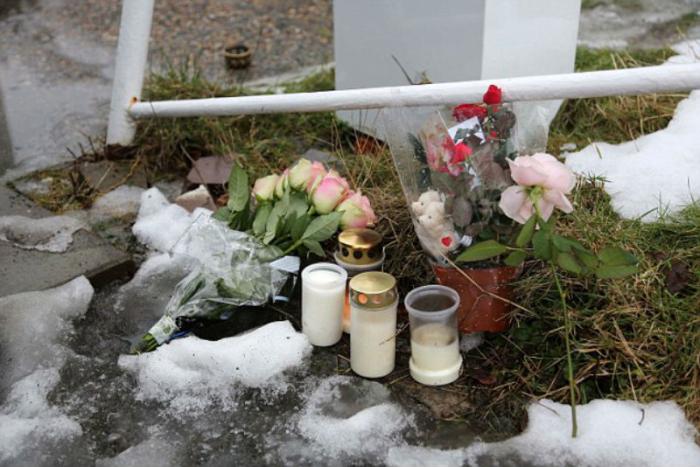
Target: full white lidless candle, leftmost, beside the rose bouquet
[322,301]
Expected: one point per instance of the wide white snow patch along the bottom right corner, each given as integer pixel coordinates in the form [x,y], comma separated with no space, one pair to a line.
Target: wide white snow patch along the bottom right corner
[610,434]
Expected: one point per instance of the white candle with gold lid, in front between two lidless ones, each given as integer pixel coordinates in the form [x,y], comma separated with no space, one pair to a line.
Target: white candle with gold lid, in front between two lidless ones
[373,302]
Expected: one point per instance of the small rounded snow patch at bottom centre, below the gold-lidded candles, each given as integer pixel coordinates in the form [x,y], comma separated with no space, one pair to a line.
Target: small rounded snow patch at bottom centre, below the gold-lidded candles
[352,416]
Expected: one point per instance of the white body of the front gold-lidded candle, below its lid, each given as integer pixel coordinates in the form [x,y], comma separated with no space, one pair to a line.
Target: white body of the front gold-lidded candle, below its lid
[372,340]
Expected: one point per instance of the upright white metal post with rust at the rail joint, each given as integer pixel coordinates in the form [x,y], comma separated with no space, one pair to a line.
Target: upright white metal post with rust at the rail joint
[130,67]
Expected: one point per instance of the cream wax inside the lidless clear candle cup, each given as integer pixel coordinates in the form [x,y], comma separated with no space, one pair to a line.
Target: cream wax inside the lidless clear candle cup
[434,347]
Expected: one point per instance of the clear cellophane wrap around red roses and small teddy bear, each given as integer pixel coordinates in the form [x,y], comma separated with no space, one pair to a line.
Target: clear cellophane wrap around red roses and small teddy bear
[454,165]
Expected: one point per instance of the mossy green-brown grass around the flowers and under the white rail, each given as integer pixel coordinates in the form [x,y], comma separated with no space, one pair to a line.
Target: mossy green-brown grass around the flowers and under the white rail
[635,338]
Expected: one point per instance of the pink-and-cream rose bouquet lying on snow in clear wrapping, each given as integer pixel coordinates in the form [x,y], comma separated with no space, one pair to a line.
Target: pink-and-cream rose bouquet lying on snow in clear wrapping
[243,261]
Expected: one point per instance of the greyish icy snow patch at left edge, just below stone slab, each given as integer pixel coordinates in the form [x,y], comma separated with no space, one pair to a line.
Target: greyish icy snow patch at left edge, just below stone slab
[35,325]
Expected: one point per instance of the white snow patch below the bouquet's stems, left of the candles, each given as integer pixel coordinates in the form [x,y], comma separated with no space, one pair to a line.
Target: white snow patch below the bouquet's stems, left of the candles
[190,374]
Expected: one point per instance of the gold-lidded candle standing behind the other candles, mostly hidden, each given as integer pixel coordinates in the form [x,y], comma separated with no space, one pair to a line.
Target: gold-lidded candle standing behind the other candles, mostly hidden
[359,250]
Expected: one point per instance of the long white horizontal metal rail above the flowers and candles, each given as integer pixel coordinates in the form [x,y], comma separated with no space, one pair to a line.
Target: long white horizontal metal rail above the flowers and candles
[645,80]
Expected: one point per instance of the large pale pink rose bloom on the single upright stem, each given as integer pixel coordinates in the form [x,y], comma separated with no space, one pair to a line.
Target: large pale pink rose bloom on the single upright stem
[538,170]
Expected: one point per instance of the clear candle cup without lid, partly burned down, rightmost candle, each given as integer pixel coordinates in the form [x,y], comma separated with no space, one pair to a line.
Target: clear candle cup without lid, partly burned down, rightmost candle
[435,358]
